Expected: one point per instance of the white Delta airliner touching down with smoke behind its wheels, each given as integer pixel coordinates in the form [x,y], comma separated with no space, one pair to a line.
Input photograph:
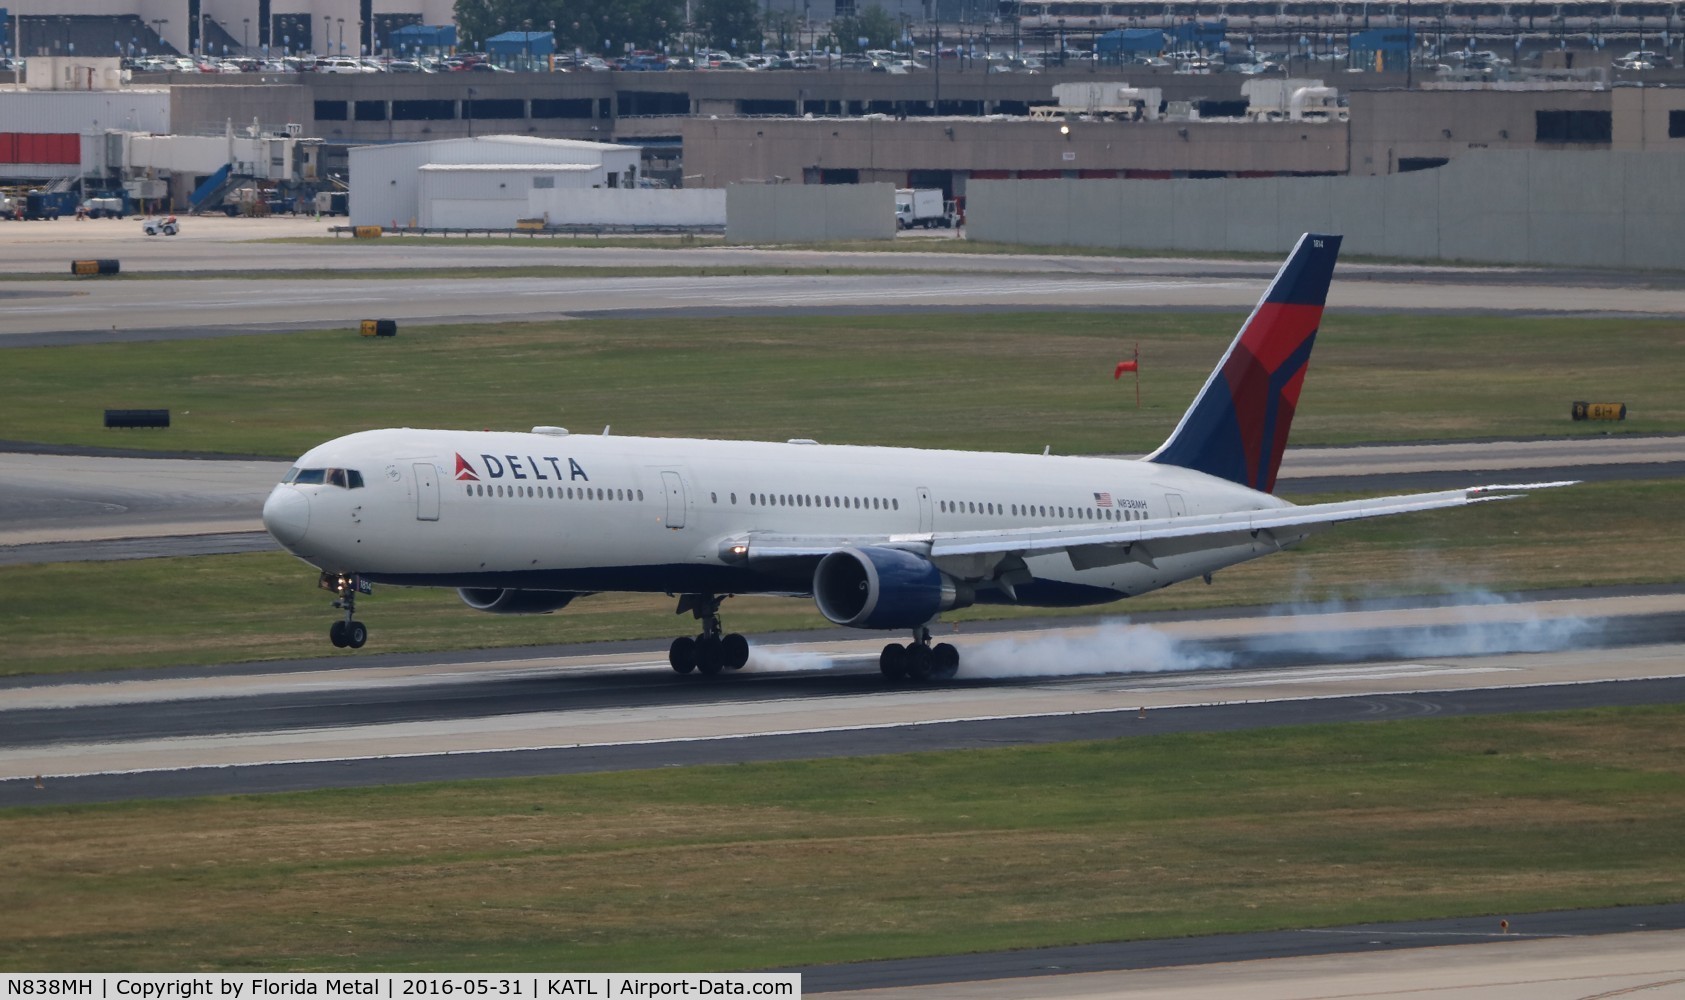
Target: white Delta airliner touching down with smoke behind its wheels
[880,539]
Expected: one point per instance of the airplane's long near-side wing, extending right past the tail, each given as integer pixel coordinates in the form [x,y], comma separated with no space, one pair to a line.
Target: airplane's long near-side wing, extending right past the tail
[982,556]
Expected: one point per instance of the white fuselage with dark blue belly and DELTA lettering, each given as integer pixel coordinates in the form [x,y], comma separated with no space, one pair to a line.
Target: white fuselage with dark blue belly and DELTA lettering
[589,513]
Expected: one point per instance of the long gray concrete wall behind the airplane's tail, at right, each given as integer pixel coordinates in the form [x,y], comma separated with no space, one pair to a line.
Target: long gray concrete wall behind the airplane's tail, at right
[1499,207]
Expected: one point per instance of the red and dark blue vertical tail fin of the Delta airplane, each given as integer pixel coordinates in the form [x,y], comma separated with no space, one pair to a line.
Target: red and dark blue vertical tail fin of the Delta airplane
[1238,426]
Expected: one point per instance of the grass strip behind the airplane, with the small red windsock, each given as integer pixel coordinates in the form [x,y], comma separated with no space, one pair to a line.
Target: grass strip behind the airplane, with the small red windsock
[998,382]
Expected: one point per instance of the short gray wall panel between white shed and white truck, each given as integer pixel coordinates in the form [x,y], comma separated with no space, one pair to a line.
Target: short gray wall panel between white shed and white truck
[810,213]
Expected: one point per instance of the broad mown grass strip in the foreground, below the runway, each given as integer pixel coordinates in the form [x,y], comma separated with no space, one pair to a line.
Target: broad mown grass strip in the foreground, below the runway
[835,861]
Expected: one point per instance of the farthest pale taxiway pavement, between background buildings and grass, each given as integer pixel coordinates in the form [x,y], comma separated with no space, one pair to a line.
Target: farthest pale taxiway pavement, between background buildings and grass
[171,308]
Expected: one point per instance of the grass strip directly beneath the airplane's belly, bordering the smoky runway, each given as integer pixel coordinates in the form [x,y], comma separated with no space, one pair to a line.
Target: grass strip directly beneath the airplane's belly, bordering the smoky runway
[240,608]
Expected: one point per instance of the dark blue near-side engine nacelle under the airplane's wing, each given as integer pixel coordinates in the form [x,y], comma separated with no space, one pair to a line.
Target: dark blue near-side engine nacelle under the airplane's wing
[884,589]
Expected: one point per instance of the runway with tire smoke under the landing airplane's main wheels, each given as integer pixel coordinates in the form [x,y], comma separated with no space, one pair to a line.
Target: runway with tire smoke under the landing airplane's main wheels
[457,718]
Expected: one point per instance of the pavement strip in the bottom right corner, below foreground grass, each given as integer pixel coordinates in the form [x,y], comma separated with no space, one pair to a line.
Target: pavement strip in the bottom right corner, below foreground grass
[1583,955]
